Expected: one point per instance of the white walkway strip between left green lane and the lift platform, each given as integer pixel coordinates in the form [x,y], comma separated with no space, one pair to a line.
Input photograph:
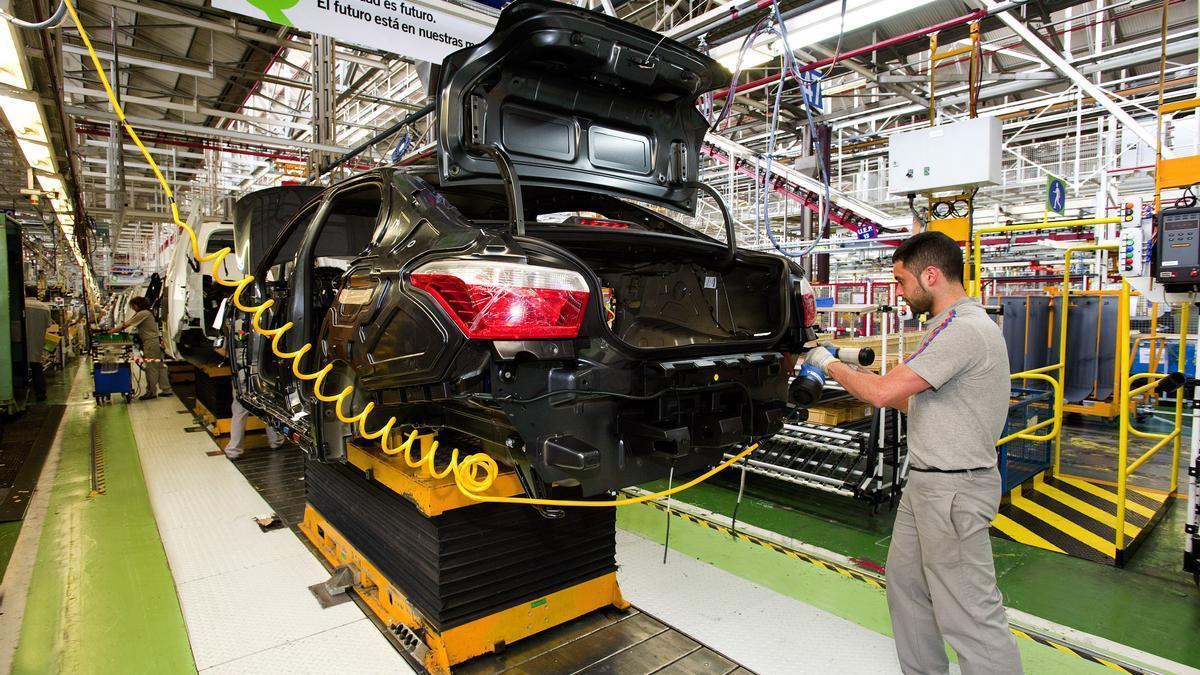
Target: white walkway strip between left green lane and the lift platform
[244,594]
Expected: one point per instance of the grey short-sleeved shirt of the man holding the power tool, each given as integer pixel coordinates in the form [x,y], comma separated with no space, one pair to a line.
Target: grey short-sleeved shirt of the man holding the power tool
[956,423]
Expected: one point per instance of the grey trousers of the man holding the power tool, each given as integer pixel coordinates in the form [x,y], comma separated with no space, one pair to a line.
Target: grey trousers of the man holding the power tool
[943,580]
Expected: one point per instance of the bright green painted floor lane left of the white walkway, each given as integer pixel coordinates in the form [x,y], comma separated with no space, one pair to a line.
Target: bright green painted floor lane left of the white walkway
[101,598]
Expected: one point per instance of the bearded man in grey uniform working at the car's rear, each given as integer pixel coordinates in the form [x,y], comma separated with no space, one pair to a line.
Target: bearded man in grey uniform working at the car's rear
[955,389]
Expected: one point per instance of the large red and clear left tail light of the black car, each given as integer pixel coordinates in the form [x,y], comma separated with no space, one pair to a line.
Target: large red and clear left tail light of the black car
[491,301]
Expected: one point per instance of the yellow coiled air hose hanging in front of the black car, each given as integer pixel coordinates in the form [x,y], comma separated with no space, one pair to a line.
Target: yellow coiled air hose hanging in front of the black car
[473,475]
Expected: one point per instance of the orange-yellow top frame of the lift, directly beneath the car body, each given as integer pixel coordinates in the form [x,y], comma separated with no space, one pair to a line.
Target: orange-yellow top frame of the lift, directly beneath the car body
[433,497]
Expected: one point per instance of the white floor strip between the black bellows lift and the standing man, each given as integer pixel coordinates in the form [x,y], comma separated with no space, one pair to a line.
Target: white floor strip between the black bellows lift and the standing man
[760,629]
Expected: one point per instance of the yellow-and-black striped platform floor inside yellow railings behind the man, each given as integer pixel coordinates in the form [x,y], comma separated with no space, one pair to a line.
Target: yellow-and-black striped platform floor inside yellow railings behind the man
[1077,517]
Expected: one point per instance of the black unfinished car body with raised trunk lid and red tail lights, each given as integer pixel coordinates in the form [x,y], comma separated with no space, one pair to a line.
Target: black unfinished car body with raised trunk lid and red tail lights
[529,297]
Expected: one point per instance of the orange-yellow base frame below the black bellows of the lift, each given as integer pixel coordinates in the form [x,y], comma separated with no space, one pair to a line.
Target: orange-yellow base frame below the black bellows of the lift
[457,646]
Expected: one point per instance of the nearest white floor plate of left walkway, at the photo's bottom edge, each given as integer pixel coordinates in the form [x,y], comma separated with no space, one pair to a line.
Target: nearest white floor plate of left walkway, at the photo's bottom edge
[347,649]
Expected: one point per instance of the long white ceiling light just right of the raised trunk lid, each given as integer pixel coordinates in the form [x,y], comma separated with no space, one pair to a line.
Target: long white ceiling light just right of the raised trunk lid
[817,26]
